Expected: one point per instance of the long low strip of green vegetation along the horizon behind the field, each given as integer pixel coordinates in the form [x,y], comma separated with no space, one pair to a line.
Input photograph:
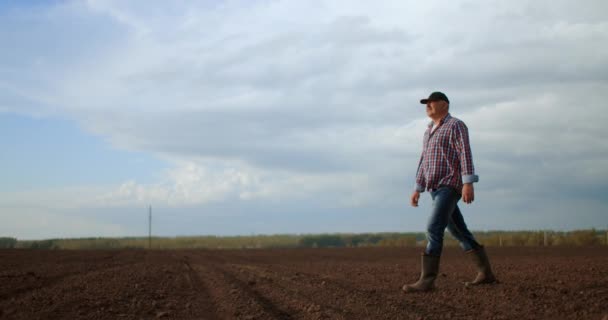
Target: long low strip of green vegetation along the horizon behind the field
[489,238]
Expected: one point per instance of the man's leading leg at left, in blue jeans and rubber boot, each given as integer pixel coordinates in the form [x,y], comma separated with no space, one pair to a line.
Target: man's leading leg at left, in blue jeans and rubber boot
[444,201]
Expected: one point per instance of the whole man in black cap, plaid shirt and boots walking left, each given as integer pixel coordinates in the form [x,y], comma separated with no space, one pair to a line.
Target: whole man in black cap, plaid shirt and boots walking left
[446,170]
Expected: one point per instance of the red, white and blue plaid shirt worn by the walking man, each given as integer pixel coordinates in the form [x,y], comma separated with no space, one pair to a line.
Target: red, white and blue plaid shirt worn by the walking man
[446,157]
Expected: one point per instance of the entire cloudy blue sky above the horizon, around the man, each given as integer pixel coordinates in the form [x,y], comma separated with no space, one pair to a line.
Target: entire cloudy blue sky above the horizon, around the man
[265,117]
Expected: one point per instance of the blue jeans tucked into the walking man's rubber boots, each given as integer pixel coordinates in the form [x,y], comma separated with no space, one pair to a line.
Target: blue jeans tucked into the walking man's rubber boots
[446,214]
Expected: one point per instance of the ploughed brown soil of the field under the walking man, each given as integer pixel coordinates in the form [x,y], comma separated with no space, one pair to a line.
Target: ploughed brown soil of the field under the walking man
[363,283]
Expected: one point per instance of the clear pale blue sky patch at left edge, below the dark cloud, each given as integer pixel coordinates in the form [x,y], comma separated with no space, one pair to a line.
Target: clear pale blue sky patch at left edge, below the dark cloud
[43,153]
